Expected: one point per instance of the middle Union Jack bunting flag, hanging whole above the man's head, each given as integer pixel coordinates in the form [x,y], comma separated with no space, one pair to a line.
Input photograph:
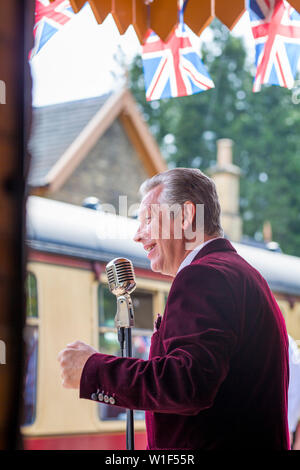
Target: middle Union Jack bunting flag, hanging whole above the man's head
[173,68]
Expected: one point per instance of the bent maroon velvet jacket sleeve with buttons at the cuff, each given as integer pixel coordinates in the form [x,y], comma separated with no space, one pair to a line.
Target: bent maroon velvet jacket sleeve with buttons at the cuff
[199,338]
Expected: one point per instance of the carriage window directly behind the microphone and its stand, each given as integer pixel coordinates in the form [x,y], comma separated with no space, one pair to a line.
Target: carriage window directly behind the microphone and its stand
[108,341]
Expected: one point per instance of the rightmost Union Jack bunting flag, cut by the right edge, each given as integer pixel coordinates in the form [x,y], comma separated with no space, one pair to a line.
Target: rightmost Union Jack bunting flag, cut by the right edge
[276,31]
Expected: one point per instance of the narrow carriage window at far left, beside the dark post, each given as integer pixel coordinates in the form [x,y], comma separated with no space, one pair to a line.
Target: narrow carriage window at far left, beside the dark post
[31,345]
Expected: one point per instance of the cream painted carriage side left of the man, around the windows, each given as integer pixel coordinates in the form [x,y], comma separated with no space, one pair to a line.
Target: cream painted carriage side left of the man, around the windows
[67,306]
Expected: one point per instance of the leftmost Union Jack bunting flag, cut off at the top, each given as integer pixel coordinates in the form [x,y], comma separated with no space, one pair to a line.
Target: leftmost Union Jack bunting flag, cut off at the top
[49,18]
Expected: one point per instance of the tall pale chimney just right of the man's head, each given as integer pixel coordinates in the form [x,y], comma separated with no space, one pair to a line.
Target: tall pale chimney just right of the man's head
[226,176]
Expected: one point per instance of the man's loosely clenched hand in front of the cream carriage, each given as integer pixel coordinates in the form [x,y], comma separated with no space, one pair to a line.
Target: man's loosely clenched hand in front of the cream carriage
[72,360]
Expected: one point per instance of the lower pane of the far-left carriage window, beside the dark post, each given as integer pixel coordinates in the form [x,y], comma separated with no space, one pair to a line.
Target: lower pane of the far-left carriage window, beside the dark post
[29,394]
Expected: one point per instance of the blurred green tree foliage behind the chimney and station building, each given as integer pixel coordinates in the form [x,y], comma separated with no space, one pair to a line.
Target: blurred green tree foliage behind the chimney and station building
[264,127]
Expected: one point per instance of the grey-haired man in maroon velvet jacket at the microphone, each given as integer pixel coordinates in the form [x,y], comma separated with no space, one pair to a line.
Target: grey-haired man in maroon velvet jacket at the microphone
[217,373]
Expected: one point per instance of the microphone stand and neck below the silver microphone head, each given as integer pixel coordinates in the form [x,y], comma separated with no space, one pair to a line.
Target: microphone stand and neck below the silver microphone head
[124,321]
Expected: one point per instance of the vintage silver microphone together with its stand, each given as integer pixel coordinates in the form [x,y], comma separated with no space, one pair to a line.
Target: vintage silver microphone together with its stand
[121,282]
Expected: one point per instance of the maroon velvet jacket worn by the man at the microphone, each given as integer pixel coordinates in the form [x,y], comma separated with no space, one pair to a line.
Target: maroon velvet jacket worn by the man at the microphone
[217,374]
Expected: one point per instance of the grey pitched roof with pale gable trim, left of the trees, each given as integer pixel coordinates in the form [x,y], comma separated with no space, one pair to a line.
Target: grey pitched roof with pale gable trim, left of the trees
[64,134]
